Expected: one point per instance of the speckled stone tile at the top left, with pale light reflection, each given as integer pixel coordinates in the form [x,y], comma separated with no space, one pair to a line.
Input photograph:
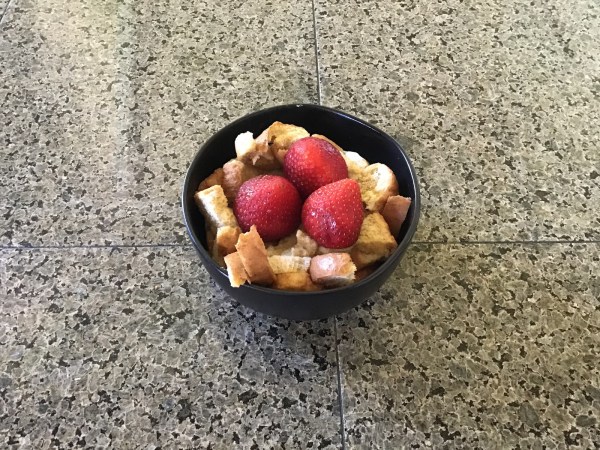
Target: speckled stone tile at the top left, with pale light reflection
[100,116]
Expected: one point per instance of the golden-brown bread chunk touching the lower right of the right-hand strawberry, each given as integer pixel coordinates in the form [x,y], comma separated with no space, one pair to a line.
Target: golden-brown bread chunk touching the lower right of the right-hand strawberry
[375,242]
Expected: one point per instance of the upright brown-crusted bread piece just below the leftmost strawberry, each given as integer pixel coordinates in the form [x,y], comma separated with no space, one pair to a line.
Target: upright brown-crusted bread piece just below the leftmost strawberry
[253,254]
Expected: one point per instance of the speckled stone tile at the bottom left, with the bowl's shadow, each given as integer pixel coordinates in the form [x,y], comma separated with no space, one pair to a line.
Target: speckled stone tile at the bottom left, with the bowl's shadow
[136,348]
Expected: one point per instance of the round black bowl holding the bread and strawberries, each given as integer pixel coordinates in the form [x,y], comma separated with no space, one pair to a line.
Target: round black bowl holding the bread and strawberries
[351,134]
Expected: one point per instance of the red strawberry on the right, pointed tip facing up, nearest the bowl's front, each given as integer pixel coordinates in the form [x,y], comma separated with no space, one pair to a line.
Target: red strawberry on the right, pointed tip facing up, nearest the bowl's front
[333,214]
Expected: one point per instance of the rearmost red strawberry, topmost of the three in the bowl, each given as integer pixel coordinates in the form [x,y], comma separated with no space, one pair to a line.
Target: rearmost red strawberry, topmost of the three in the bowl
[311,163]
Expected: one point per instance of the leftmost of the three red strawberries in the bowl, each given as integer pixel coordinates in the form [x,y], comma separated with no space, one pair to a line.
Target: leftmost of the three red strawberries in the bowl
[271,203]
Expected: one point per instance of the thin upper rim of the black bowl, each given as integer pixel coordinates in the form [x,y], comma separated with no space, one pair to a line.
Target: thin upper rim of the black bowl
[398,252]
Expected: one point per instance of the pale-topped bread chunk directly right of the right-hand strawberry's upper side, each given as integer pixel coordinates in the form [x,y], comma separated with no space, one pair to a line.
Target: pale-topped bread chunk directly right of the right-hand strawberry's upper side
[377,183]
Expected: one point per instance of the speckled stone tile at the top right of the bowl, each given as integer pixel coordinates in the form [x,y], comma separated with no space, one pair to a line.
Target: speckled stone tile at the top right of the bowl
[496,102]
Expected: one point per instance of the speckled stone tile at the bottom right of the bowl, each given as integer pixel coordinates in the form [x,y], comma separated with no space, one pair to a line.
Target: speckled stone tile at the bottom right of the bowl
[479,347]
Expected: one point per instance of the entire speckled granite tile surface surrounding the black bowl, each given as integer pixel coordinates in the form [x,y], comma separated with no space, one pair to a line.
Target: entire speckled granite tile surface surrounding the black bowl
[112,335]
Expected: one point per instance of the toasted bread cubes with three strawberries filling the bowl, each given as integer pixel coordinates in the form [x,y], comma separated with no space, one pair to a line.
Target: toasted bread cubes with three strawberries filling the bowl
[294,211]
